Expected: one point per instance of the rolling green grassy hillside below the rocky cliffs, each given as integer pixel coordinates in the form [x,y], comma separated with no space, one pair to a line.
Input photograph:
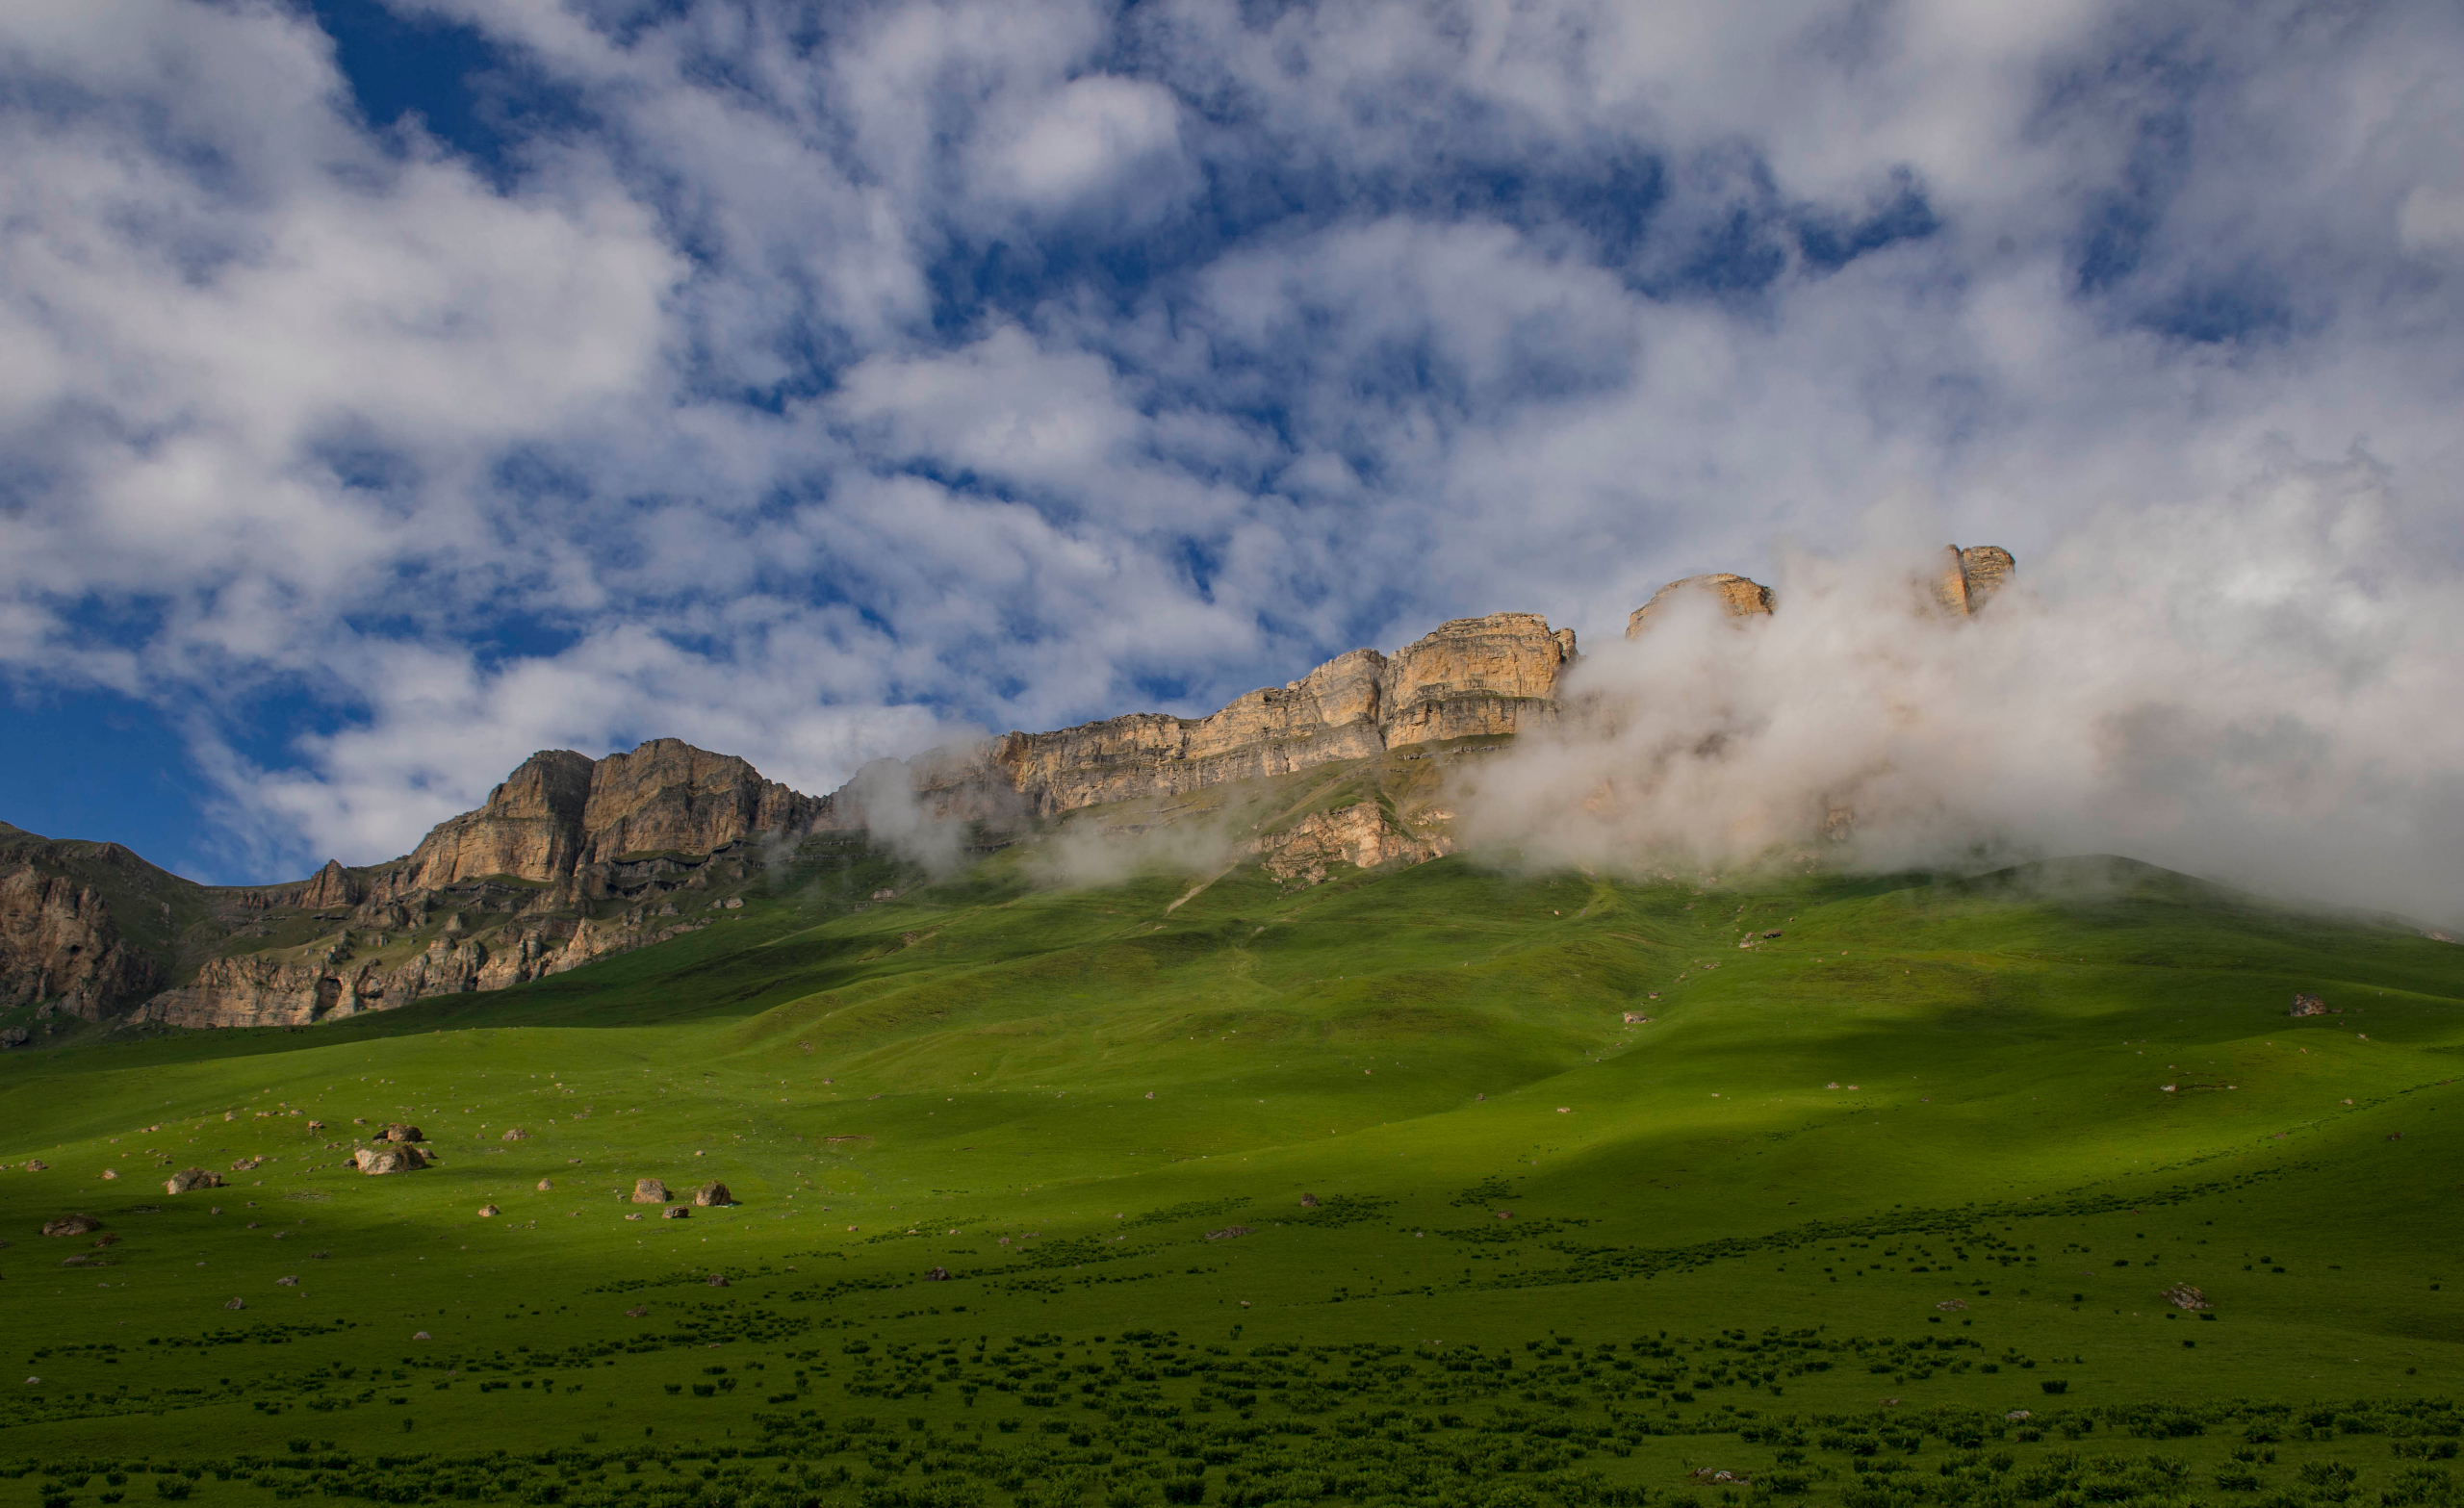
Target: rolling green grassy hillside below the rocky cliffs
[1418,1186]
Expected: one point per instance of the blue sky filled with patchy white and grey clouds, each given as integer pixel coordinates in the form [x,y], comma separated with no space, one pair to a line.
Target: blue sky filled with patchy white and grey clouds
[395,388]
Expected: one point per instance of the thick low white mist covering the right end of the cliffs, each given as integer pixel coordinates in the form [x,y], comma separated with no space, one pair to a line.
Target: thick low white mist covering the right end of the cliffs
[2261,689]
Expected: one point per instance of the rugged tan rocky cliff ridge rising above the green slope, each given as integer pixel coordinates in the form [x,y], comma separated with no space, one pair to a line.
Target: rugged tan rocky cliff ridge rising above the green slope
[575,859]
